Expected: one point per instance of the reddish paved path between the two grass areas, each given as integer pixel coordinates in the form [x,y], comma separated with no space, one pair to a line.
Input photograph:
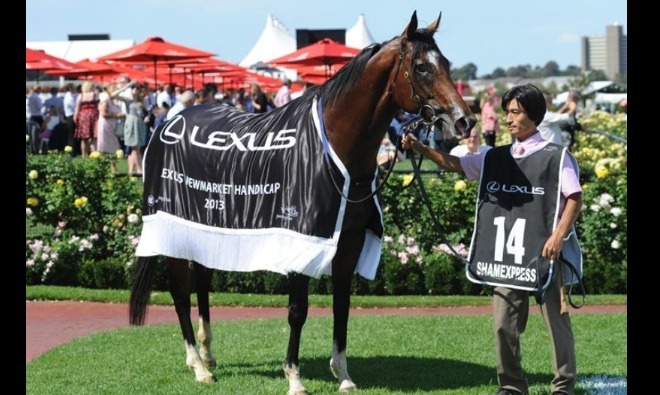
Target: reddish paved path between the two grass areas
[49,324]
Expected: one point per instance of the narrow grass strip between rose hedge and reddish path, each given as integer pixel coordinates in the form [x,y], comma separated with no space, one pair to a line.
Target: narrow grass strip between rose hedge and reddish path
[47,292]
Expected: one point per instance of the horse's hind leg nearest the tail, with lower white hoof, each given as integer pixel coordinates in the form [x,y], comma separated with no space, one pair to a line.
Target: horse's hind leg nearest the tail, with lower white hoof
[180,291]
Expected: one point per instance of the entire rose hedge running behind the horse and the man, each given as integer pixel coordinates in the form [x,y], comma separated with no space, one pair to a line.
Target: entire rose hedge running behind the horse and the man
[92,219]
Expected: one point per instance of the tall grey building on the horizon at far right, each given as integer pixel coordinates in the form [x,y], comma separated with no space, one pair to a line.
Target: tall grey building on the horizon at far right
[607,53]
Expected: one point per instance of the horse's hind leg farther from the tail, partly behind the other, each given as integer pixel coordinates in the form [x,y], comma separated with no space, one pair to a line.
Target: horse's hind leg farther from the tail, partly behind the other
[203,277]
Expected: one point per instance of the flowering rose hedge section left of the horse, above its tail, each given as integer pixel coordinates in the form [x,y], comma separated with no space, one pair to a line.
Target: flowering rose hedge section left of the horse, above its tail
[79,214]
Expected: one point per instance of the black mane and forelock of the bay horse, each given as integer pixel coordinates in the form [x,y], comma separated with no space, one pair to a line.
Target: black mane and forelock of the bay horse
[339,84]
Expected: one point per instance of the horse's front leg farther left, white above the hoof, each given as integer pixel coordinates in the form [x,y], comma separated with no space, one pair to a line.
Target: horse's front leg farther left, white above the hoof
[298,308]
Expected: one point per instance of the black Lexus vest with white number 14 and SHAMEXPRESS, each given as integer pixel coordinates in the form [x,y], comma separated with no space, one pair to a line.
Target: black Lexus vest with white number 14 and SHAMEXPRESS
[517,210]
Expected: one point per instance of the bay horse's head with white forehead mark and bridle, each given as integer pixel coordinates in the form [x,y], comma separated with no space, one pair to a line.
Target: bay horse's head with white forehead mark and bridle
[422,82]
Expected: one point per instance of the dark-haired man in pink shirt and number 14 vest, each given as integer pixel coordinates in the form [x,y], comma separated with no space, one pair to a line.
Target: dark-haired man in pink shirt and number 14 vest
[549,167]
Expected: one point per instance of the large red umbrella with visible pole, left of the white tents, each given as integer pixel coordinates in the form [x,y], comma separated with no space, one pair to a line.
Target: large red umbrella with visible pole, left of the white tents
[154,50]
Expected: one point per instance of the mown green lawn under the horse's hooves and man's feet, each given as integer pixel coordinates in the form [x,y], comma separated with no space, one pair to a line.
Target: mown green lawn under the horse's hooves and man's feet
[451,355]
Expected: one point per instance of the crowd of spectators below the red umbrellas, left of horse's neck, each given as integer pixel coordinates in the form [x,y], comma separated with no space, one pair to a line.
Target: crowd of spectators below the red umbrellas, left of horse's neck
[122,115]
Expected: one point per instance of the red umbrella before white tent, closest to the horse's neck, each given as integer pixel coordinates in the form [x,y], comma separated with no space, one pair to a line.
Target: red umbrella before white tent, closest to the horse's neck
[325,52]
